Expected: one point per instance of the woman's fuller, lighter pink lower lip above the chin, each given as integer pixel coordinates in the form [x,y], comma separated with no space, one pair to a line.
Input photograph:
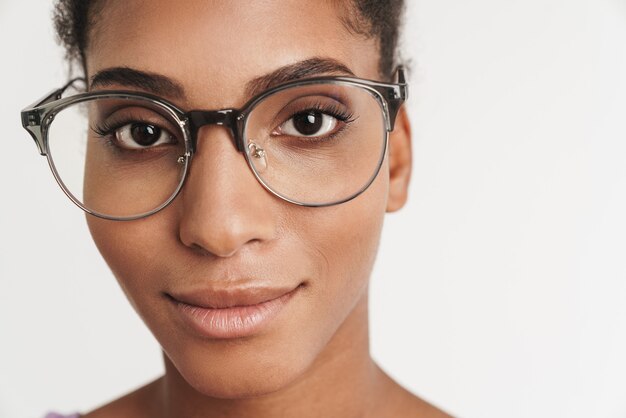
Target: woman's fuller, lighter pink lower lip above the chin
[235,322]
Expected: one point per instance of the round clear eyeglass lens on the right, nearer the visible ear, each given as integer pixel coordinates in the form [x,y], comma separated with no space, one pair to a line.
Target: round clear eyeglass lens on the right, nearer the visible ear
[321,143]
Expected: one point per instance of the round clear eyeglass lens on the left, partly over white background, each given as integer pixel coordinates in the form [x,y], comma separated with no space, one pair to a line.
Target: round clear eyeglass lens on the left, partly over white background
[118,158]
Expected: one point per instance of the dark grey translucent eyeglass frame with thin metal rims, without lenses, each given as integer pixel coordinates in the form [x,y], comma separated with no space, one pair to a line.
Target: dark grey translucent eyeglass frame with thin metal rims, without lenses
[37,118]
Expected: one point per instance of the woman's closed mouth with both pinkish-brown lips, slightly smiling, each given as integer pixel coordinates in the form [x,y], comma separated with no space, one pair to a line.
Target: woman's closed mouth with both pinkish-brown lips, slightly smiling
[232,313]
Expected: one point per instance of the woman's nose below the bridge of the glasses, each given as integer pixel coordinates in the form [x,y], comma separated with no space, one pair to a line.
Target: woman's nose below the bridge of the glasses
[224,207]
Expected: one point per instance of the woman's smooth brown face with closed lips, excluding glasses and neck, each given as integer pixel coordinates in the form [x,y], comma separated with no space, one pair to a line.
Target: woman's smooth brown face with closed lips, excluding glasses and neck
[300,273]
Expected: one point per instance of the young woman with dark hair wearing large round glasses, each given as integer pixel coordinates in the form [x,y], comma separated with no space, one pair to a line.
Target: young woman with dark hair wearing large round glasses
[243,235]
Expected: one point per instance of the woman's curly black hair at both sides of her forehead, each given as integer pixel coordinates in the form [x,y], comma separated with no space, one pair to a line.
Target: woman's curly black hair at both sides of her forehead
[379,19]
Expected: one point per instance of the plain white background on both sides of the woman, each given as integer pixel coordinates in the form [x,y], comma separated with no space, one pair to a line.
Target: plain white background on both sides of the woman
[500,290]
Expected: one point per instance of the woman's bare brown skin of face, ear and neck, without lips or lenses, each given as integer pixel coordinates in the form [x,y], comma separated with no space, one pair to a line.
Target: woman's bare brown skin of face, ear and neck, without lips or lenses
[314,360]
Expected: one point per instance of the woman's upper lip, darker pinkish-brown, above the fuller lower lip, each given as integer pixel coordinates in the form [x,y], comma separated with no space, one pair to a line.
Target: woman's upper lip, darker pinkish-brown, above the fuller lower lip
[229,297]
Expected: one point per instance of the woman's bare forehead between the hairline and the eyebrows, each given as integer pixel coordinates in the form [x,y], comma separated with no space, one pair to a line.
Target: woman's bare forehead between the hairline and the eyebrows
[215,47]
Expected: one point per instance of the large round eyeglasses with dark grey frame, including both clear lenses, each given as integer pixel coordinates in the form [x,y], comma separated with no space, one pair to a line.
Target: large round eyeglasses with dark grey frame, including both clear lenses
[125,155]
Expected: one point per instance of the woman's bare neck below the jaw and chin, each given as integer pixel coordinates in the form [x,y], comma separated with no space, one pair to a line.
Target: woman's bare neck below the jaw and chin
[342,381]
